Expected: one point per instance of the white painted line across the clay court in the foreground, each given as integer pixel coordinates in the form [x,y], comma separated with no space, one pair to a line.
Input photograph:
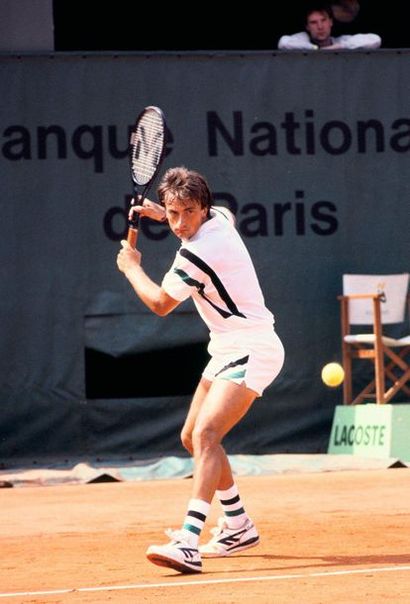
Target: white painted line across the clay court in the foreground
[335,573]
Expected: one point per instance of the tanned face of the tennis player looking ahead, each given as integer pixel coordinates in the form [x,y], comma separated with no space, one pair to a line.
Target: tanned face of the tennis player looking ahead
[184,217]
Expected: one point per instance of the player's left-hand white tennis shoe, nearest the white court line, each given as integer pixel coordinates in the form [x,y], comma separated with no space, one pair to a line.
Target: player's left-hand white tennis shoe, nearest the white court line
[178,554]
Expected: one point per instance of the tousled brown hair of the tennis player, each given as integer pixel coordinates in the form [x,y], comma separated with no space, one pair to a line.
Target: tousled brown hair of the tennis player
[185,184]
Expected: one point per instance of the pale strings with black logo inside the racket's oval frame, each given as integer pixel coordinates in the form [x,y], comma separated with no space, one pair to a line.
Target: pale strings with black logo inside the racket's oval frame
[147,143]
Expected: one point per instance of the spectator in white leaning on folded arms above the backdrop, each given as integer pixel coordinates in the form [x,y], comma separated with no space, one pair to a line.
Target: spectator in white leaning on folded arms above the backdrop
[318,34]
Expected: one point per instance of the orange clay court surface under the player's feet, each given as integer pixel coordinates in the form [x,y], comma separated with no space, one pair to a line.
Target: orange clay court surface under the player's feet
[329,537]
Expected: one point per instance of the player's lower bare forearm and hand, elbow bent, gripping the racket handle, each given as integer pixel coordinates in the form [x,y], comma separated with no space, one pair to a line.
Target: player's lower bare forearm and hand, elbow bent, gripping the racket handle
[151,294]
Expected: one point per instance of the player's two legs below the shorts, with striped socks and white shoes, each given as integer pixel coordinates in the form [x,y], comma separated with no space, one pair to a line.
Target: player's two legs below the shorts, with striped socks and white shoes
[215,409]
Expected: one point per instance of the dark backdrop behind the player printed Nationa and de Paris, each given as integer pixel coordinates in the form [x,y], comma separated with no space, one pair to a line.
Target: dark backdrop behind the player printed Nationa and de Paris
[311,151]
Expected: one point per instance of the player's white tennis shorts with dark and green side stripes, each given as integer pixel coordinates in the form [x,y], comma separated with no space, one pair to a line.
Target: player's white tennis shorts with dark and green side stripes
[251,356]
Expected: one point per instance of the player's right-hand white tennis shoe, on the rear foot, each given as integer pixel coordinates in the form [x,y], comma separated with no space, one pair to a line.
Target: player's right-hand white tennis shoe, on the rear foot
[226,541]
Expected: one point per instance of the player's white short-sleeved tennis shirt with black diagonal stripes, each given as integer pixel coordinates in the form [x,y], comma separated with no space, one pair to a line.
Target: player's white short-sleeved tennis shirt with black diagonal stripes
[215,269]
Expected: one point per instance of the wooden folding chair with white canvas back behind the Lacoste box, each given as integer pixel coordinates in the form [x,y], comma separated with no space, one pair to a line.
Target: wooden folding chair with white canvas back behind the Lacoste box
[374,302]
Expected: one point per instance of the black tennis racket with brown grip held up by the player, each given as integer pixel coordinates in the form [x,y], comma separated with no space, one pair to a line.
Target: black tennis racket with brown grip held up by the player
[146,151]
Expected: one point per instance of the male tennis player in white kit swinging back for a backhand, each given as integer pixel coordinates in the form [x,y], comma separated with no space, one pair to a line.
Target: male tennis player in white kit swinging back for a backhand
[213,267]
